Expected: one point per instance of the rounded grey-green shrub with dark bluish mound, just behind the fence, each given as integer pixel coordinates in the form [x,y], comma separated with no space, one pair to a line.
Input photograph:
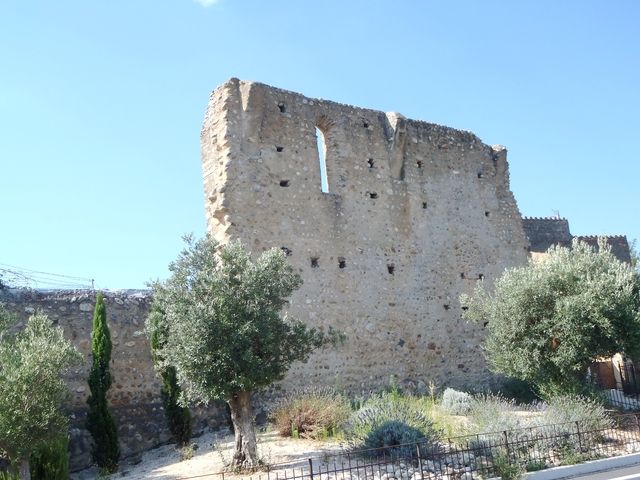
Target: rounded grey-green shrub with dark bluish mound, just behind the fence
[387,421]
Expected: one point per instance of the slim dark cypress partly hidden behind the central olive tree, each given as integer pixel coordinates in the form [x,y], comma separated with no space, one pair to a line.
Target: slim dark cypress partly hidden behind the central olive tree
[178,416]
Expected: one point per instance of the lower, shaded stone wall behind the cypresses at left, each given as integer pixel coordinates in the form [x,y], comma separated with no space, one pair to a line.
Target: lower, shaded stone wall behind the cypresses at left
[134,398]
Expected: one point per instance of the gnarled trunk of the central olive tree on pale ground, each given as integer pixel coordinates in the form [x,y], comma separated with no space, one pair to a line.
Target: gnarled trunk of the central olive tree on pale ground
[246,452]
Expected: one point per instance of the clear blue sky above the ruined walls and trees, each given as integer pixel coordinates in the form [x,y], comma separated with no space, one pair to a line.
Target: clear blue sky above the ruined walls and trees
[101,104]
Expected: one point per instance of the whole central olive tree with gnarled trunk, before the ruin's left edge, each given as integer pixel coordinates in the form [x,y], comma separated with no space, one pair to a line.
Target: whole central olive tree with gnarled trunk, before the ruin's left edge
[226,336]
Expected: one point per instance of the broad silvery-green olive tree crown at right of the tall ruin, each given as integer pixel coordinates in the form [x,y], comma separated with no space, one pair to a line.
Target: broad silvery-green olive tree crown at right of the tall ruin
[549,320]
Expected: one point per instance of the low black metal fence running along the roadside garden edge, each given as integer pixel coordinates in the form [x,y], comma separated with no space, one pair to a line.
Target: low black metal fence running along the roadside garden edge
[486,455]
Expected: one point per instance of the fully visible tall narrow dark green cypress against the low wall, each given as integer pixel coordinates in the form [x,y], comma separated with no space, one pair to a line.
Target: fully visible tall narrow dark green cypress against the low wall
[105,450]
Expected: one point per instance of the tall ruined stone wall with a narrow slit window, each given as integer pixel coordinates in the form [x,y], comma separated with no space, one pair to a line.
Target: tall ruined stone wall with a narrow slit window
[415,215]
